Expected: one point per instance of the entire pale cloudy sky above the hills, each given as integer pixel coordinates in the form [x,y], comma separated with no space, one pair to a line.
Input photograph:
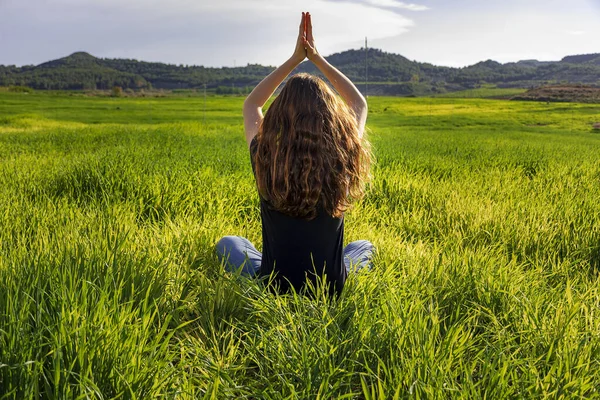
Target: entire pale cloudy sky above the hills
[219,33]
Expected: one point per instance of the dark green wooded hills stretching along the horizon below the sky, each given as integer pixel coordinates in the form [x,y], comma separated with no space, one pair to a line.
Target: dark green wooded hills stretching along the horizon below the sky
[388,73]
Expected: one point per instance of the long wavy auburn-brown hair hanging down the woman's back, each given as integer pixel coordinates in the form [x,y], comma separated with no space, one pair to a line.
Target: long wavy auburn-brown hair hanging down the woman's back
[309,153]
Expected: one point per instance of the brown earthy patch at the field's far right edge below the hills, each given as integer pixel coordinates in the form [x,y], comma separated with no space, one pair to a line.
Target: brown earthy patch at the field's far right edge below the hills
[562,93]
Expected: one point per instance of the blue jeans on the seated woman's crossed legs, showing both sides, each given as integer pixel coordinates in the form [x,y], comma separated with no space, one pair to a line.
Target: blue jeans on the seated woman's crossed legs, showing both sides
[239,253]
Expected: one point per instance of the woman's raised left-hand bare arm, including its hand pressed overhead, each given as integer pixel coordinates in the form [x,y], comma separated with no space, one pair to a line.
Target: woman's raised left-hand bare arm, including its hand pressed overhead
[255,101]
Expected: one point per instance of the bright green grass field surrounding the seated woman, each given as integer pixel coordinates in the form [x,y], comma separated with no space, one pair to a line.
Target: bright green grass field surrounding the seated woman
[486,216]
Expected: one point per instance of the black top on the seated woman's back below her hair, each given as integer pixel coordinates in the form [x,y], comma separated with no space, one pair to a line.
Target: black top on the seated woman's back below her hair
[296,249]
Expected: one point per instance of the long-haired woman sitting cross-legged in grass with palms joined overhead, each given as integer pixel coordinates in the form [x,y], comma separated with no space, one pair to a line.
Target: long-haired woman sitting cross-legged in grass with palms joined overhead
[310,162]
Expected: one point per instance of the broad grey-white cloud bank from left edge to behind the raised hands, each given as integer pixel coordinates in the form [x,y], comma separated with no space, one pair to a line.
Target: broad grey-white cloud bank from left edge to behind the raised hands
[205,32]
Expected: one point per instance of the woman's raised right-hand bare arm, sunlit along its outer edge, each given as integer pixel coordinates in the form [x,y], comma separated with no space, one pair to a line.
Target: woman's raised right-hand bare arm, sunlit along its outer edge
[340,82]
